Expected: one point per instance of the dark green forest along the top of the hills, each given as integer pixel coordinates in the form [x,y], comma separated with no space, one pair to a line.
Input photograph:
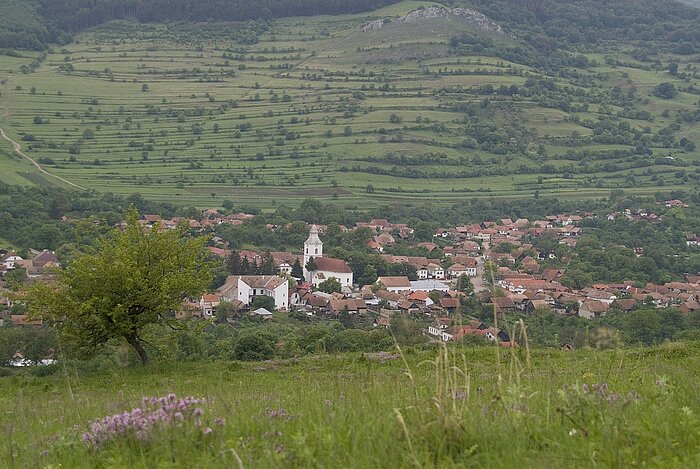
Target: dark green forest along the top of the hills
[548,25]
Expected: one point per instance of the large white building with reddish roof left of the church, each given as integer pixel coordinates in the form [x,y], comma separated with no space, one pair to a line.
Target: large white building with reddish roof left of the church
[245,288]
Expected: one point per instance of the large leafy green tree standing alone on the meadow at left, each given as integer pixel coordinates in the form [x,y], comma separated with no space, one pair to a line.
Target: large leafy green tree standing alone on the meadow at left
[133,278]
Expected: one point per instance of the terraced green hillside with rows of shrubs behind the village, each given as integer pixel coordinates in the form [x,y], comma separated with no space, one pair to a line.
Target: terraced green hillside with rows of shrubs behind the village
[318,108]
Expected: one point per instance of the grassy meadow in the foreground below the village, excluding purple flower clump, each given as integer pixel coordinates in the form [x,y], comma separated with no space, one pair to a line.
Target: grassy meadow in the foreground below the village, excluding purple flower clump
[368,411]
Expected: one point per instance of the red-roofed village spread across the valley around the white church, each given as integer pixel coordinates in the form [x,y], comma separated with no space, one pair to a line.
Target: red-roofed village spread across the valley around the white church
[496,262]
